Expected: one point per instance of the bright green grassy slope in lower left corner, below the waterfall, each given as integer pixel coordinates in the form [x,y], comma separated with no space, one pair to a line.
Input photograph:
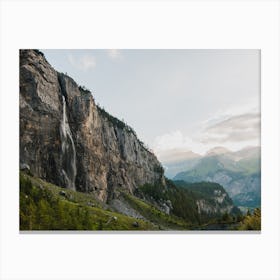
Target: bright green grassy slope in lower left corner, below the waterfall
[43,207]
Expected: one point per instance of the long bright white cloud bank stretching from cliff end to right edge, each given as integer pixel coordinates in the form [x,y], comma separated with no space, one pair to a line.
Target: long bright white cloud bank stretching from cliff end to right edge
[234,133]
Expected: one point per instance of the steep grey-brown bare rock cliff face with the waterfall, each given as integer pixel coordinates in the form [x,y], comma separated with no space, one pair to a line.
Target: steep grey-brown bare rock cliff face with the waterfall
[66,139]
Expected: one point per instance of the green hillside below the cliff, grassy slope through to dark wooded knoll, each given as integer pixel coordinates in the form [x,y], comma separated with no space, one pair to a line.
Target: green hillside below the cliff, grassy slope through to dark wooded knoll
[44,206]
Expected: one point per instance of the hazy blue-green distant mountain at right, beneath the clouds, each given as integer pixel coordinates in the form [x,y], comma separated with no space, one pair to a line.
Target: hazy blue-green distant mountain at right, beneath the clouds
[238,172]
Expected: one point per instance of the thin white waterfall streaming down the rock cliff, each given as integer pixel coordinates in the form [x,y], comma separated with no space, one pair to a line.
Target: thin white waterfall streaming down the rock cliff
[68,151]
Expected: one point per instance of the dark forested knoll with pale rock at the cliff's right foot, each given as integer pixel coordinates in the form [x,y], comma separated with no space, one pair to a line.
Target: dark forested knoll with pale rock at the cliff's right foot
[185,197]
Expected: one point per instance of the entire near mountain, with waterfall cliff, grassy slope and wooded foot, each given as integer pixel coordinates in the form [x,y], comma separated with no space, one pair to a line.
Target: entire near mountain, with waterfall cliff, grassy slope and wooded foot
[83,169]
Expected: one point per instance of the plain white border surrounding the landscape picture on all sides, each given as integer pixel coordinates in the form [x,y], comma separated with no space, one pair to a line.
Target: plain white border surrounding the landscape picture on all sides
[124,24]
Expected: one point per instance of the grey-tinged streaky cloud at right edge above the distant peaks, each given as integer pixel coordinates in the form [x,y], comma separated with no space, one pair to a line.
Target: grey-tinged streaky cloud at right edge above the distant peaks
[239,128]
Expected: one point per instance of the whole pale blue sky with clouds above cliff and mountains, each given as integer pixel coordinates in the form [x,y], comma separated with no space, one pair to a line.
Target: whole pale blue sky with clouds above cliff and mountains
[175,100]
